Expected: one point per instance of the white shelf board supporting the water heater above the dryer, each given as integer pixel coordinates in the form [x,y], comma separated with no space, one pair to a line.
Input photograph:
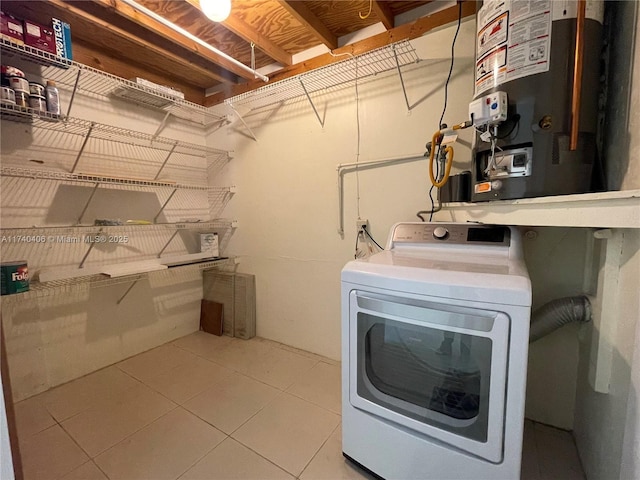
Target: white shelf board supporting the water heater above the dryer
[620,209]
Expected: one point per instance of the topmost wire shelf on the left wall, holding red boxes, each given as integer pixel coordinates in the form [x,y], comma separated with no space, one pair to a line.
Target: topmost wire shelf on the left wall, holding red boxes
[82,78]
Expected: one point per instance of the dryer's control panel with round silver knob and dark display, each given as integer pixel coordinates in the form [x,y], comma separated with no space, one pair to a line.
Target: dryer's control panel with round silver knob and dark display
[451,233]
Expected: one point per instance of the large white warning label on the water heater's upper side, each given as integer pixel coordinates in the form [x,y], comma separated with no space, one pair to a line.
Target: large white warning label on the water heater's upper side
[513,41]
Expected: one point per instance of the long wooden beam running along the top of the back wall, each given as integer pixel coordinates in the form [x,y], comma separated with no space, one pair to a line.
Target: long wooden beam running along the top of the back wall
[404,32]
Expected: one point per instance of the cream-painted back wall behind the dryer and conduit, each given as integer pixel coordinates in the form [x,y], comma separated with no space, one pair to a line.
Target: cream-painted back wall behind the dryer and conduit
[287,185]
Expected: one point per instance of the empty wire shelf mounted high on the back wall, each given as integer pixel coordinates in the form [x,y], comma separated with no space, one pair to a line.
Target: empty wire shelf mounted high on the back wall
[371,63]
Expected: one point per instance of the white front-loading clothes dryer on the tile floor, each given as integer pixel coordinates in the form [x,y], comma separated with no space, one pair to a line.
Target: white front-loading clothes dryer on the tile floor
[434,353]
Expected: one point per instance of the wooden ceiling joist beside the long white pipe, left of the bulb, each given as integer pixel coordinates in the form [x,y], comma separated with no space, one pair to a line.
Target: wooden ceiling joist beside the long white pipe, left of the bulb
[133,15]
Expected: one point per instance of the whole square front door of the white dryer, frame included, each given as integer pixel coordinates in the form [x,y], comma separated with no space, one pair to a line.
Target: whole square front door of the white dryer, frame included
[435,368]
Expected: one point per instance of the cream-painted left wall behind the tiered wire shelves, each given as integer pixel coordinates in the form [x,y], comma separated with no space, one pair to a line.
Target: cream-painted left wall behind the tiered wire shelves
[58,338]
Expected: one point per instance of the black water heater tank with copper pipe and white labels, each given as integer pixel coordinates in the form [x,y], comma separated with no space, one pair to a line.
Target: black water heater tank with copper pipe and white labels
[535,126]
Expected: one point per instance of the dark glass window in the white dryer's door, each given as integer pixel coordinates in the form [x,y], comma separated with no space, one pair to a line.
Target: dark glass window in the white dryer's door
[438,377]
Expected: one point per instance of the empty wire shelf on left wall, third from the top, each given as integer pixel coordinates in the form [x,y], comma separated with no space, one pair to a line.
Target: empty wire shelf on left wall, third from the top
[20,172]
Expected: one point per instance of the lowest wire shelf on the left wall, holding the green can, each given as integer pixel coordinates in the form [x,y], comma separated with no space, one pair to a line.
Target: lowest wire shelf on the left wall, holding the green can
[45,289]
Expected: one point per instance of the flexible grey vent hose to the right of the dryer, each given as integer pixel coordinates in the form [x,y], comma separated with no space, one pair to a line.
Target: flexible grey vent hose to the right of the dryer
[557,313]
